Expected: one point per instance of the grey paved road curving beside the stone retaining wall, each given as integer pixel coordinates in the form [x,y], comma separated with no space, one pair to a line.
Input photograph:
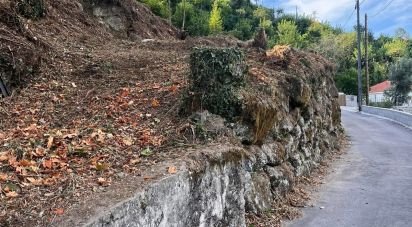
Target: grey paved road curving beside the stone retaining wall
[371,186]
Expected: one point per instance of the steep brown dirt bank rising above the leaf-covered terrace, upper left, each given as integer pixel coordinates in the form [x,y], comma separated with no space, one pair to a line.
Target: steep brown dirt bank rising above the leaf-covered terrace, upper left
[30,43]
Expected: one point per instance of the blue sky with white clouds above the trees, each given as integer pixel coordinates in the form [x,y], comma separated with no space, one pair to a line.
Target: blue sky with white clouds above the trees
[397,14]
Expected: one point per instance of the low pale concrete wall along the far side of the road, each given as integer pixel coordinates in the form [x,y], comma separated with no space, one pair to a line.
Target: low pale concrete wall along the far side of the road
[398,116]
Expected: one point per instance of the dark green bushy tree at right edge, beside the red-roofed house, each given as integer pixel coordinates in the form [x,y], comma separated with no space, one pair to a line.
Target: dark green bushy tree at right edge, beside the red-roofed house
[401,78]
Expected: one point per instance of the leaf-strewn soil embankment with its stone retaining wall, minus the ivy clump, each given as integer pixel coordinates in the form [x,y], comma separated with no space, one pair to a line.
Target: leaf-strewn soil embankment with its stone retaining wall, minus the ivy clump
[94,121]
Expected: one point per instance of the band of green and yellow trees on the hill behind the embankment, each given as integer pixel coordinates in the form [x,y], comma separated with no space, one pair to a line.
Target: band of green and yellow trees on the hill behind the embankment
[243,18]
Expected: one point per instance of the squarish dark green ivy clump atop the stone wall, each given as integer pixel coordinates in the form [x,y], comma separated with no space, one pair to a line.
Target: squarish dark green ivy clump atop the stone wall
[216,75]
